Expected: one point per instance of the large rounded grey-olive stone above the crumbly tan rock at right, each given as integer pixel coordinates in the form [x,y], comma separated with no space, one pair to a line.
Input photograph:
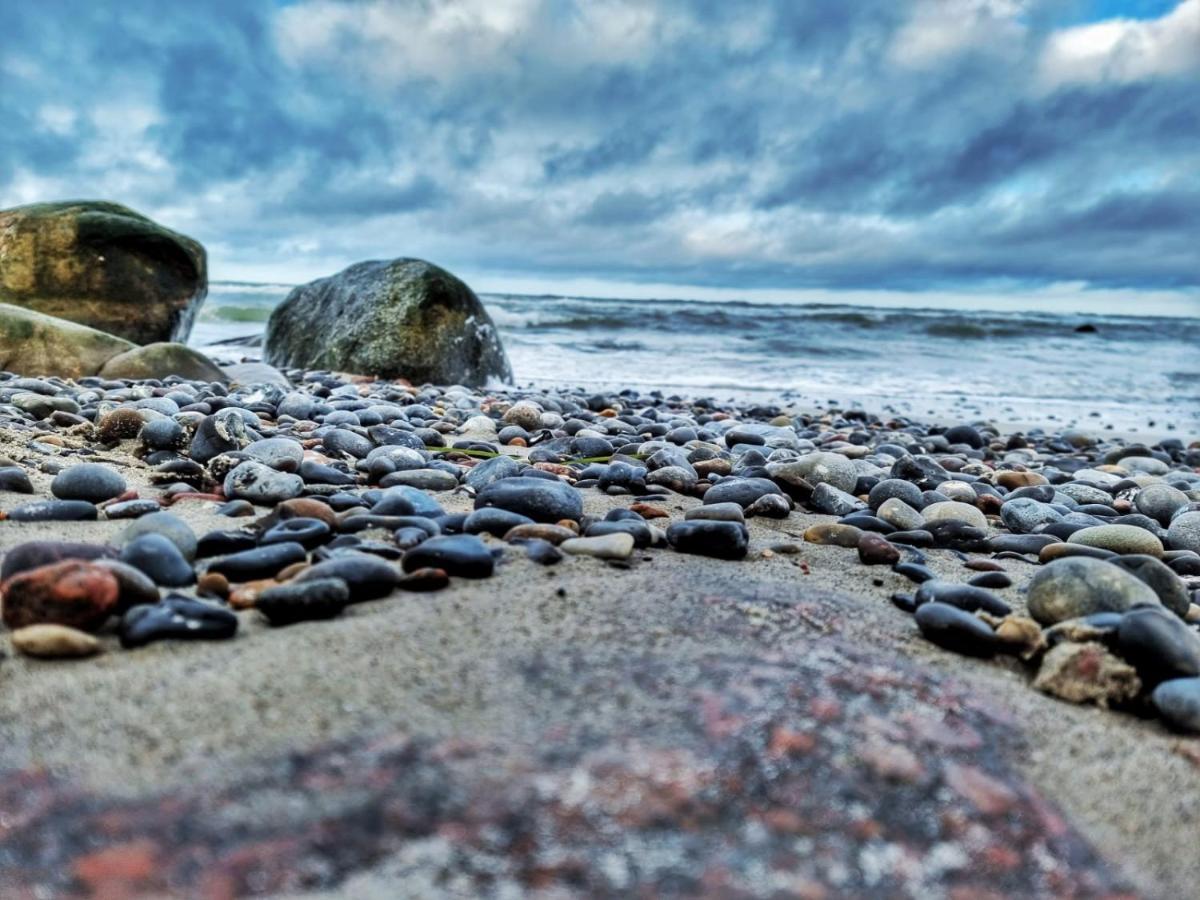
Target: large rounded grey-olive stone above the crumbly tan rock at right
[1073,587]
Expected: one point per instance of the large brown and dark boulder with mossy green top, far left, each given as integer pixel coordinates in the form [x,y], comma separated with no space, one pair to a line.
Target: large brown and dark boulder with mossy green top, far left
[103,266]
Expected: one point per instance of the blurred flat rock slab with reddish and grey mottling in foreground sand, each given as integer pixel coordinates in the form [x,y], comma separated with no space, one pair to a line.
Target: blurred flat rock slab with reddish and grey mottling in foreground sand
[842,772]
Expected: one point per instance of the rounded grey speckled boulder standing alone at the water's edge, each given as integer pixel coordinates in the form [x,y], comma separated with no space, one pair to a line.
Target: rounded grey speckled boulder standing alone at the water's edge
[405,319]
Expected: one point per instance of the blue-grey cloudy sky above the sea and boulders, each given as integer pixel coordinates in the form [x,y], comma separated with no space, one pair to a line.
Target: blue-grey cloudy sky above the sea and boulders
[950,147]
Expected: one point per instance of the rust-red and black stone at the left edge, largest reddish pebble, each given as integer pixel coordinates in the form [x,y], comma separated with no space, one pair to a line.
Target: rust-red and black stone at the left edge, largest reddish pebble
[74,593]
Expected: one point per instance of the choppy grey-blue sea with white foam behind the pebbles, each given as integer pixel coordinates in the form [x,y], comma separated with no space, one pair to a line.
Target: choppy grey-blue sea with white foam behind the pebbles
[1133,375]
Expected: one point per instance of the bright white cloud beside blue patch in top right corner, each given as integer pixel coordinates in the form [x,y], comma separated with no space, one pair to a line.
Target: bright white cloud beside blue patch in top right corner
[1125,50]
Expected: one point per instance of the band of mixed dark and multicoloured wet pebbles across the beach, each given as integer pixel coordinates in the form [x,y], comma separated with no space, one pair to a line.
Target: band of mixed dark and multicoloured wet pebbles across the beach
[332,488]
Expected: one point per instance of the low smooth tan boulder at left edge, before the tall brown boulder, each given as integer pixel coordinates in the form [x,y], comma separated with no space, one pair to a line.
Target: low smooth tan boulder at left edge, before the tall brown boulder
[37,345]
